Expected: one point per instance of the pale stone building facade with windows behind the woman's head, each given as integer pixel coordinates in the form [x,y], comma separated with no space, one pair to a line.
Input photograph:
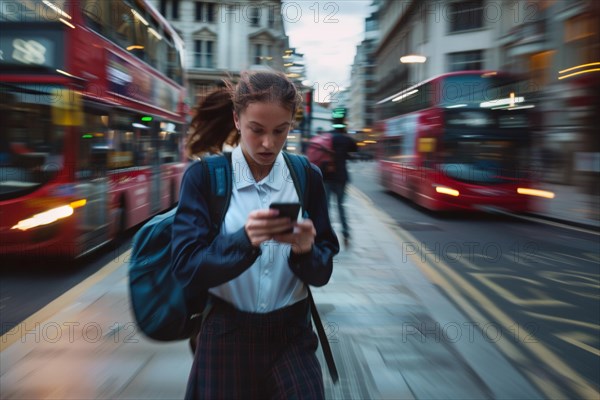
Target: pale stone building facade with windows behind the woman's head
[223,38]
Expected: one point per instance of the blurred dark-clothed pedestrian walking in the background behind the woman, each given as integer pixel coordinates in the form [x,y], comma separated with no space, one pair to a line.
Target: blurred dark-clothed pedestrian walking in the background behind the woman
[336,178]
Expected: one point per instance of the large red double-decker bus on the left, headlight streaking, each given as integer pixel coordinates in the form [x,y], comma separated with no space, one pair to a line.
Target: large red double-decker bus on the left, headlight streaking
[93,118]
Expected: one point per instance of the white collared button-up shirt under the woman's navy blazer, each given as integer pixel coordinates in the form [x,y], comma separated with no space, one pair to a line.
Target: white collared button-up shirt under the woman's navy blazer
[269,284]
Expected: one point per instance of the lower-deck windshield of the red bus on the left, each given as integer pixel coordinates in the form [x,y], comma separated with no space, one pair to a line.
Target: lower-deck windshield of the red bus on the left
[31,145]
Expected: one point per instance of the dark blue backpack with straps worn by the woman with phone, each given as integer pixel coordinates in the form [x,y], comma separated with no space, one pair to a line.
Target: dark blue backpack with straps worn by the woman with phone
[160,309]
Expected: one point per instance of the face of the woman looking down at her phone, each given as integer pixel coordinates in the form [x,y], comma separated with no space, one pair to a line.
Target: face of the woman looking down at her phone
[264,128]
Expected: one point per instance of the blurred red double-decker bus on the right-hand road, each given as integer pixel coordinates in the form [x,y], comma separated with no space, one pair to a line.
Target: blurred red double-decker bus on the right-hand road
[459,141]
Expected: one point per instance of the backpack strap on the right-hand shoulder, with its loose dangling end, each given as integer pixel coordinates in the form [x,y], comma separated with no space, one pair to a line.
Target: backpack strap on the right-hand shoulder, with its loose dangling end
[300,172]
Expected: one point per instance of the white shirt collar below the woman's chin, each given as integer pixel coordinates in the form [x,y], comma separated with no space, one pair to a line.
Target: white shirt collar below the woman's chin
[242,177]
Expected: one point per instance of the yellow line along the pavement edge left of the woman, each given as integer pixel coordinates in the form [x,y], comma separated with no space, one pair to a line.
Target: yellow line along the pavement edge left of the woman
[61,302]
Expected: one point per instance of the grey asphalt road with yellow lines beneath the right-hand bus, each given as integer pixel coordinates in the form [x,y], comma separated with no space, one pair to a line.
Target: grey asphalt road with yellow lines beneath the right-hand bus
[532,288]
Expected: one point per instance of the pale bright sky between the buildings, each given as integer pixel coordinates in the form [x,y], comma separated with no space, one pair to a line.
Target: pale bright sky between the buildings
[327,33]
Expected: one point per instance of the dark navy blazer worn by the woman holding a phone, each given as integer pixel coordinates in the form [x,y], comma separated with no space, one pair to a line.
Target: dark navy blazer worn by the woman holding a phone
[199,264]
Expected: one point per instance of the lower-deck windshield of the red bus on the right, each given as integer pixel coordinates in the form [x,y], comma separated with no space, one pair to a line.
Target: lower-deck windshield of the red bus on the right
[483,162]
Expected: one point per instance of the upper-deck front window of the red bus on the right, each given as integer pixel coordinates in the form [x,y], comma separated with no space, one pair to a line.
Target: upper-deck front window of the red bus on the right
[479,91]
